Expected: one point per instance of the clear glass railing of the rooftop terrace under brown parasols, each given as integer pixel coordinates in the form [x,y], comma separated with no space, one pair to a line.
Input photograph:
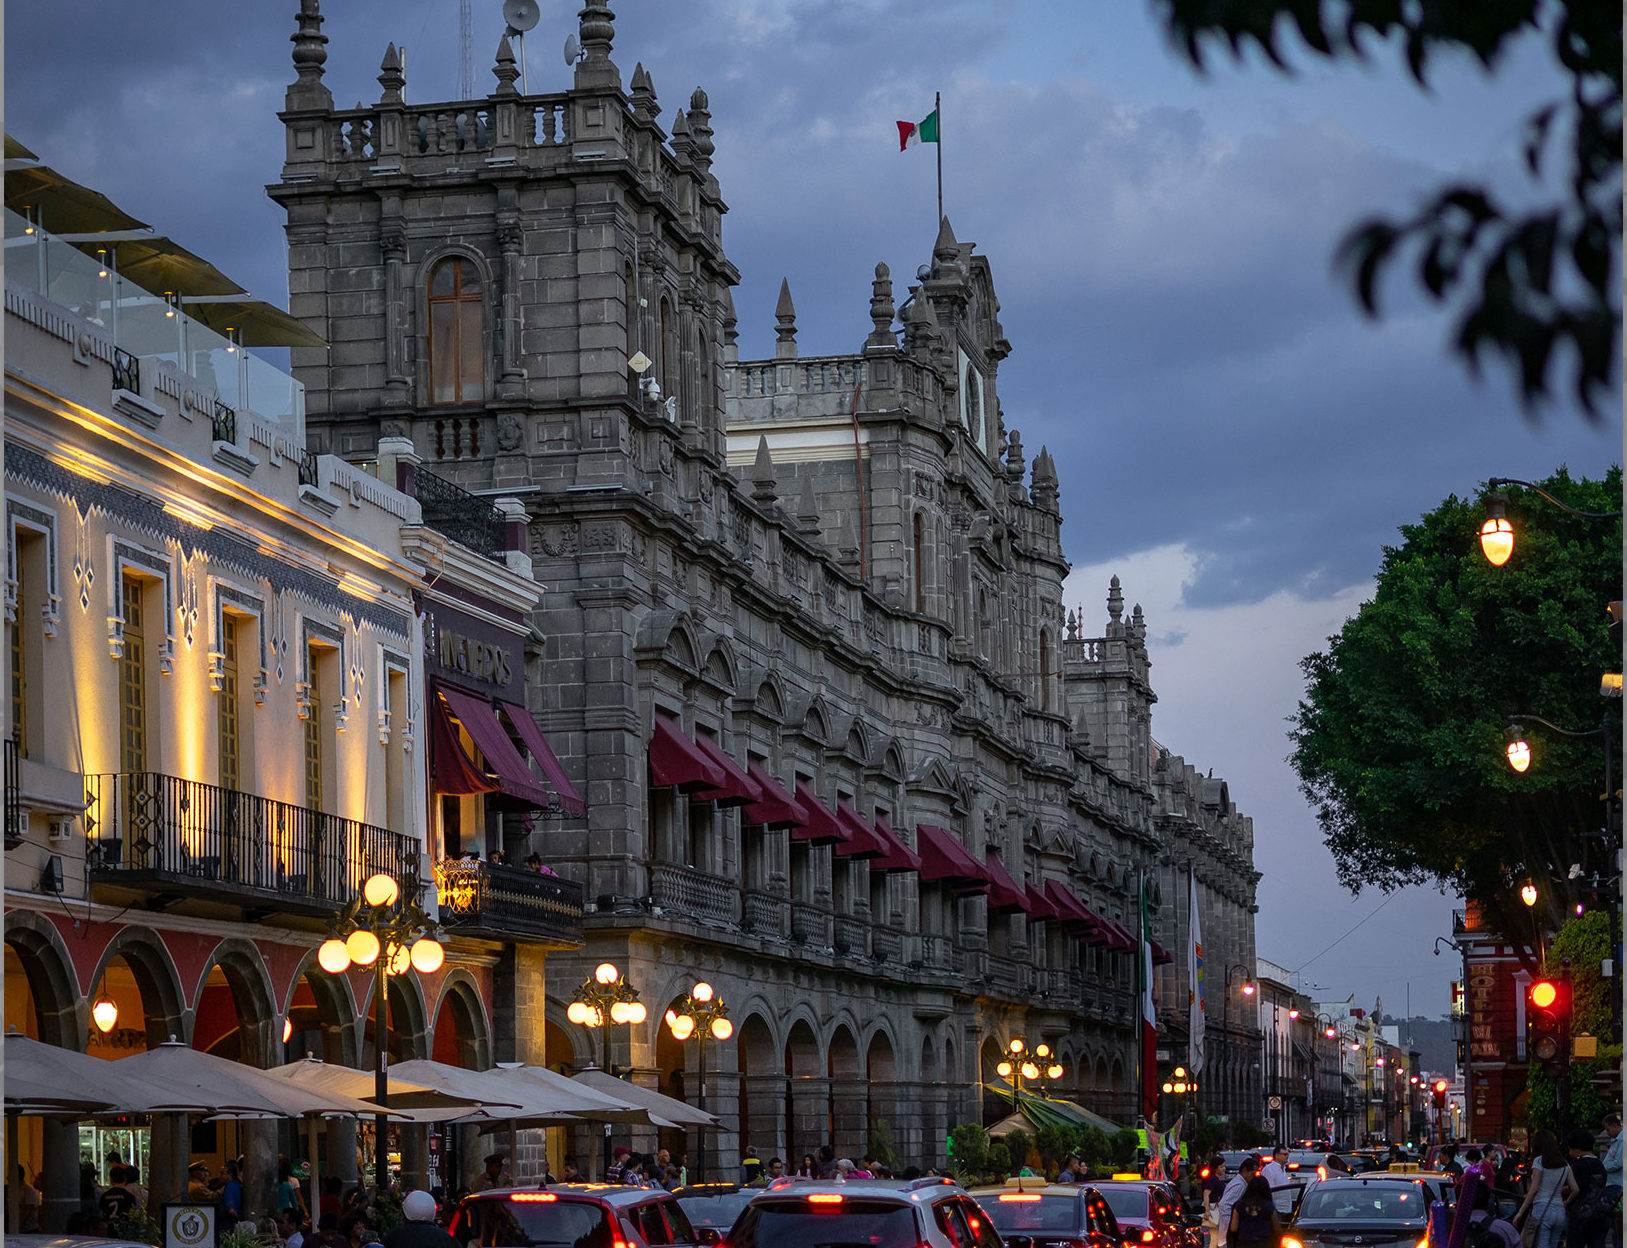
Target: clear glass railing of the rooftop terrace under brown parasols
[150,328]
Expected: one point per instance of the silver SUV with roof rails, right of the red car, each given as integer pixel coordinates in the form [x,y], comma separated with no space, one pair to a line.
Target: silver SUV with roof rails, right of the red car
[876,1213]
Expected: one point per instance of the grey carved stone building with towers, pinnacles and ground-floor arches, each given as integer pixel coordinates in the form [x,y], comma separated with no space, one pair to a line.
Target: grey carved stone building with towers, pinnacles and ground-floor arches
[868,603]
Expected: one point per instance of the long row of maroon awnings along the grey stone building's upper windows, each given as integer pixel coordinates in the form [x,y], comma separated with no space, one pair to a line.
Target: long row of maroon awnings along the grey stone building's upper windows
[699,767]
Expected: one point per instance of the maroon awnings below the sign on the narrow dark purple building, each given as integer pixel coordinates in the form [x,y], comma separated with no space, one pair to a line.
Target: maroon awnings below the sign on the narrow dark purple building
[504,736]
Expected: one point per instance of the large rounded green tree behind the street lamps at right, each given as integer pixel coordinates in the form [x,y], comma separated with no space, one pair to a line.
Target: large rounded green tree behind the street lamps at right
[1400,741]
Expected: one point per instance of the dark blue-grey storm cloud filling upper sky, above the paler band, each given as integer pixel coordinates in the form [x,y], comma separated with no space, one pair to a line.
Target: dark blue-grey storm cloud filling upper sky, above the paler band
[1180,343]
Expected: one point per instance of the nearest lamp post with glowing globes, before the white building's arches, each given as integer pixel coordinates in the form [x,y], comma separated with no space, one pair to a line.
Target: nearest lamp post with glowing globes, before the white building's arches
[383,928]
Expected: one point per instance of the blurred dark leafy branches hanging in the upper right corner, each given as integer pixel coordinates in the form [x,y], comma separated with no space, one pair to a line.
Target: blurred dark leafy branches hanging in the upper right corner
[1537,284]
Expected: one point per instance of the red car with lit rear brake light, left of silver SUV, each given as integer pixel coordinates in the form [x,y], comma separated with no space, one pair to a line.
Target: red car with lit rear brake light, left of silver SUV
[582,1215]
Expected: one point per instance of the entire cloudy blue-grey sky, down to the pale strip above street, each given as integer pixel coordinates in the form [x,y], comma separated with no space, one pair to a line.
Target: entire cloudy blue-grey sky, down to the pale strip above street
[1234,440]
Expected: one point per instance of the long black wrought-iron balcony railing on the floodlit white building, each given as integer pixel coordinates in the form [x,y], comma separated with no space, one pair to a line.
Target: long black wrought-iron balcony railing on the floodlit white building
[157,831]
